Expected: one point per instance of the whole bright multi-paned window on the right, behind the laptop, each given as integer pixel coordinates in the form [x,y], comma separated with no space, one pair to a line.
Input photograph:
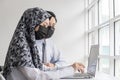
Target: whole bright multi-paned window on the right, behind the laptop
[104,29]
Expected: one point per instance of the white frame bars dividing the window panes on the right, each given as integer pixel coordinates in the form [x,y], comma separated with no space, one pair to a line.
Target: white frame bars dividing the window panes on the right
[111,23]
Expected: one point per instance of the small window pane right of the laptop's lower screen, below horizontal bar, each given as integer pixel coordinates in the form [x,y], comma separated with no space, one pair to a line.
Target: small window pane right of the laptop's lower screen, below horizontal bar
[104,66]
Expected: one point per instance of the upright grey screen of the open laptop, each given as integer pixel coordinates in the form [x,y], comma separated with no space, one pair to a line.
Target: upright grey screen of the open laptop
[92,59]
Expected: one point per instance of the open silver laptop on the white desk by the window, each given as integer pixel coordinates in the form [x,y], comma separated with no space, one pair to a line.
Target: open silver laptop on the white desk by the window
[91,68]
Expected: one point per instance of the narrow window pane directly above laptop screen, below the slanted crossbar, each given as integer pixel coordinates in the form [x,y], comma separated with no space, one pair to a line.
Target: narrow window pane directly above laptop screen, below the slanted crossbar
[93,39]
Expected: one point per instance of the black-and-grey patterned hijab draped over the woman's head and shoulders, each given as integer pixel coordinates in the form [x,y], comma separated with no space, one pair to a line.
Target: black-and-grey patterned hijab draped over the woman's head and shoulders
[22,50]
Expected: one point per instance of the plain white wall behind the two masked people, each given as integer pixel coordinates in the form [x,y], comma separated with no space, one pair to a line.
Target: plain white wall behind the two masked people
[69,33]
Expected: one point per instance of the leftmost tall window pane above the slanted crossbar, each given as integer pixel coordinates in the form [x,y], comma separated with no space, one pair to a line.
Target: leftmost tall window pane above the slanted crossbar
[93,17]
